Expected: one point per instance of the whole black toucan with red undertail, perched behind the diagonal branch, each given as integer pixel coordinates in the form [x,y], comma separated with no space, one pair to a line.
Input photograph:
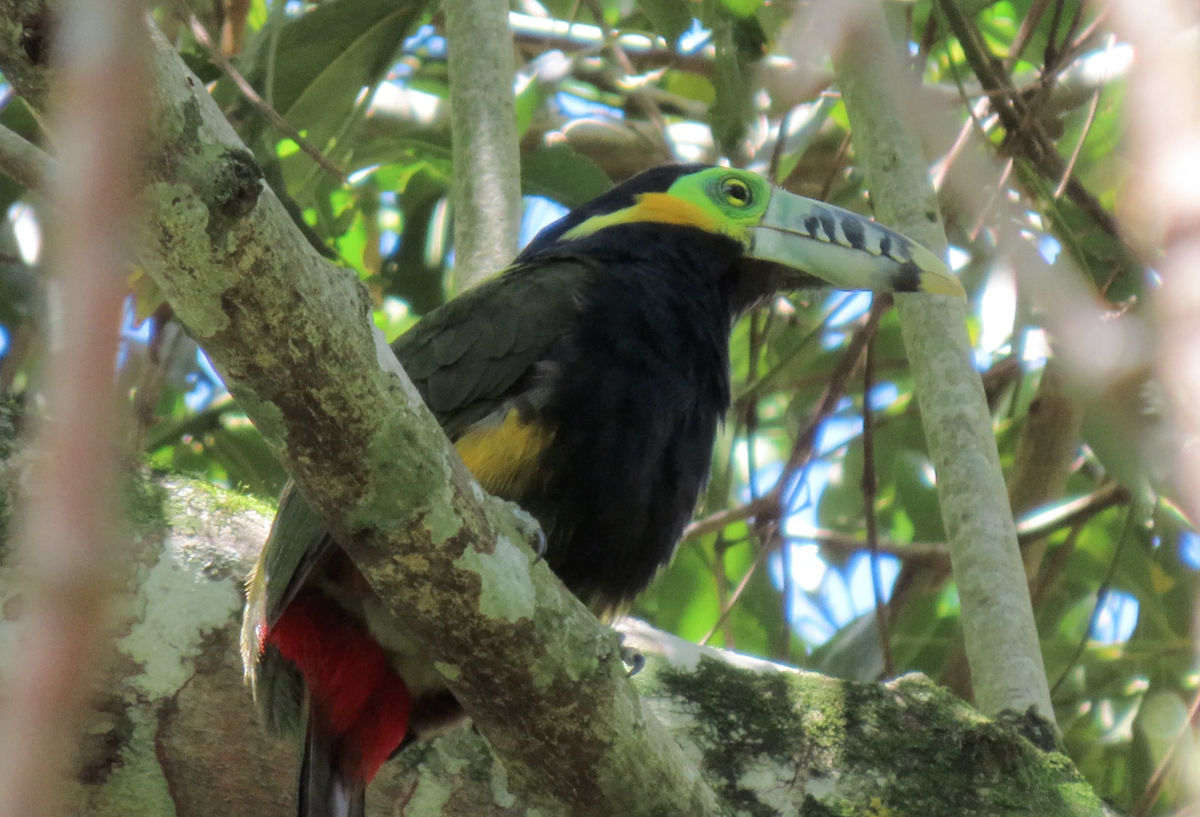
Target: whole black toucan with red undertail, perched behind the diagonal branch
[586,385]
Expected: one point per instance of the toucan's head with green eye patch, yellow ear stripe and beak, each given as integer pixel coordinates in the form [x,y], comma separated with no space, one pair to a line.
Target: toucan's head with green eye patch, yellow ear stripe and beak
[791,242]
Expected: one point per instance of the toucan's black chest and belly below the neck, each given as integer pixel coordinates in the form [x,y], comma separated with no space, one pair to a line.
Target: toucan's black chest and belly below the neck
[633,414]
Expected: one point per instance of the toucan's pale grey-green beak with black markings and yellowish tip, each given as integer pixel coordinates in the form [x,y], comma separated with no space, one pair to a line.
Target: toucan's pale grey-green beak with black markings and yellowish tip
[847,250]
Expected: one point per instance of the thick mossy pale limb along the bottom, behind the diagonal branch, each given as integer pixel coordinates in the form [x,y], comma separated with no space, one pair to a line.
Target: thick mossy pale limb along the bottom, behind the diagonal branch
[175,732]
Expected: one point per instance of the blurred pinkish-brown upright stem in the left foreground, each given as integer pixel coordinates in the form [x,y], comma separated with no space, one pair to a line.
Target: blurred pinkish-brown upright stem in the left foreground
[69,548]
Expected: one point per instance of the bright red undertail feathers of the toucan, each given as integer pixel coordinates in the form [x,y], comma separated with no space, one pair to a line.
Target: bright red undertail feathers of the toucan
[352,687]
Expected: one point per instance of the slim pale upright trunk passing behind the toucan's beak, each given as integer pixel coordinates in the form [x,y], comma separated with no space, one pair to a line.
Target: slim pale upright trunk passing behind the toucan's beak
[998,620]
